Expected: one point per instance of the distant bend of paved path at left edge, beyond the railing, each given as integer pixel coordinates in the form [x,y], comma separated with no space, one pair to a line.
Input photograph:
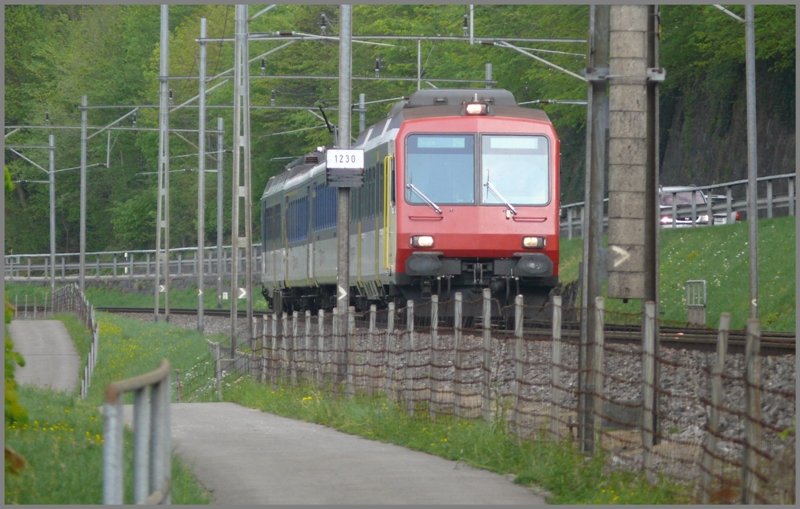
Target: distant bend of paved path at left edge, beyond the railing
[50,357]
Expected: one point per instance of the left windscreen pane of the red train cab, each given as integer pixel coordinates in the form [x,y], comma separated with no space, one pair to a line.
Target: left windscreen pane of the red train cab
[441,167]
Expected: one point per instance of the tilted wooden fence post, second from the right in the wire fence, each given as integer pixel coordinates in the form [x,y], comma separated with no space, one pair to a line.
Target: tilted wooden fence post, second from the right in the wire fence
[710,441]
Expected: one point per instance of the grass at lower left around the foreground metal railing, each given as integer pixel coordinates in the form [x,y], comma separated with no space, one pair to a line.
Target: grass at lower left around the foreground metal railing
[62,439]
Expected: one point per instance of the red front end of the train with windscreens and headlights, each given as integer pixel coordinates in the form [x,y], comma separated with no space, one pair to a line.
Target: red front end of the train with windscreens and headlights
[477,197]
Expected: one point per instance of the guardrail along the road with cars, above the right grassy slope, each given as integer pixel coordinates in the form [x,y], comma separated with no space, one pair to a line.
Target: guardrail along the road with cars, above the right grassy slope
[776,196]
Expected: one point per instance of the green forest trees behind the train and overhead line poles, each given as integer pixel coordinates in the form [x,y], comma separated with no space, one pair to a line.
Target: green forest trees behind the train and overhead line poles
[54,54]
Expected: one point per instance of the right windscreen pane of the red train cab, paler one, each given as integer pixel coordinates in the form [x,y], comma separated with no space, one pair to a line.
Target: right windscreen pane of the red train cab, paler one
[514,169]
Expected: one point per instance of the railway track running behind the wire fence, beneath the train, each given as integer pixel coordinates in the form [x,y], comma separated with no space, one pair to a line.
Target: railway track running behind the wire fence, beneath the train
[772,343]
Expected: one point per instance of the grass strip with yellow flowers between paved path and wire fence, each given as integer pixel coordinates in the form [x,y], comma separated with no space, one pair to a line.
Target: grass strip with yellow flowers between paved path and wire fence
[568,476]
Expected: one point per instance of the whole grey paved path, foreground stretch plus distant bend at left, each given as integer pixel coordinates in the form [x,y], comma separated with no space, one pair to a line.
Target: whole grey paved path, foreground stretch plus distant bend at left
[245,456]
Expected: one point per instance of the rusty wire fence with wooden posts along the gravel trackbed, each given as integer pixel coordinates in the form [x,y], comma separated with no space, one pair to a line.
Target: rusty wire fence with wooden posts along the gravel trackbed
[722,423]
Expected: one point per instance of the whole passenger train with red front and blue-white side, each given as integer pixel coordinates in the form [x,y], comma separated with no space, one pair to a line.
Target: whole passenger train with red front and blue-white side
[460,192]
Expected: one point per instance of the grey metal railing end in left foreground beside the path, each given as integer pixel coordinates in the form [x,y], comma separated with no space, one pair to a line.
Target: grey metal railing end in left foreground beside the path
[152,460]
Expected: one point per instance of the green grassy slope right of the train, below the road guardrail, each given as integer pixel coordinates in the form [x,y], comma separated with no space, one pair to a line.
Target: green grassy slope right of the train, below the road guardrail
[720,256]
